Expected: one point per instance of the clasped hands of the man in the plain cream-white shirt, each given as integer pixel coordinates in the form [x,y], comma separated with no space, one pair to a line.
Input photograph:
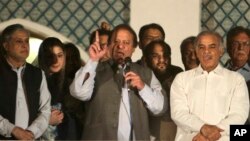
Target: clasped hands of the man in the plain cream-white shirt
[211,132]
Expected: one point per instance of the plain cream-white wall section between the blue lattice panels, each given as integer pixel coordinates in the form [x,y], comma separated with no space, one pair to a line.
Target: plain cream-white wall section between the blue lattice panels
[179,18]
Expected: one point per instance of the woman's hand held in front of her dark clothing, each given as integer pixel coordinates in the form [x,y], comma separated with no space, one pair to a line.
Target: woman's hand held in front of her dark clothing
[56,117]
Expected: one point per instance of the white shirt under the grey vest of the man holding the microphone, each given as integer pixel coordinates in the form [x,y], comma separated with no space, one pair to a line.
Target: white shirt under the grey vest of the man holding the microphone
[150,94]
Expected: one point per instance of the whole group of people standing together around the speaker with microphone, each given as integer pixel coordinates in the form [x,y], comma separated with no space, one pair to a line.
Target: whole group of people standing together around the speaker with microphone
[110,97]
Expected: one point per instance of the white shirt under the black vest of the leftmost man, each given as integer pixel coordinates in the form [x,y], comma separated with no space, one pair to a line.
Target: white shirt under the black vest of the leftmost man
[22,114]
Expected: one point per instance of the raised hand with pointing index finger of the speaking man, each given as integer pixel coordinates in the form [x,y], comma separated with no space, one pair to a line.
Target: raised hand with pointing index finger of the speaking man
[96,52]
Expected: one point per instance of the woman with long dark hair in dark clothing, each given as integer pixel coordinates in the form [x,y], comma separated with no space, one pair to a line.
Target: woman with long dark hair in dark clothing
[52,59]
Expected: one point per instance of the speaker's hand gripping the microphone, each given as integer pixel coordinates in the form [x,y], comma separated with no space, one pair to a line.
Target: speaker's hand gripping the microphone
[134,80]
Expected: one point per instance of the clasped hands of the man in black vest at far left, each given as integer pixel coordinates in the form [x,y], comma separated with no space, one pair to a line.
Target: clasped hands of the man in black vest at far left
[22,134]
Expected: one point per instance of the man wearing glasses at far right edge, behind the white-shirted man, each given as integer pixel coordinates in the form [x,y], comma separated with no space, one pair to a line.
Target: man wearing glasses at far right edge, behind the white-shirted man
[238,44]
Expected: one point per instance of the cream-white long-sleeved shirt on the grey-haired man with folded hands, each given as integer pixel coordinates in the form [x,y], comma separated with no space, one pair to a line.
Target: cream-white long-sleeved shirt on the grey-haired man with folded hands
[197,97]
